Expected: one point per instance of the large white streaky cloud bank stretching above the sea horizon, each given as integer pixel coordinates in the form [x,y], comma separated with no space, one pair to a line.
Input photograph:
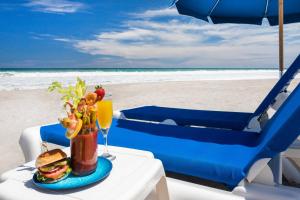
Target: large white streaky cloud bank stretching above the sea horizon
[179,43]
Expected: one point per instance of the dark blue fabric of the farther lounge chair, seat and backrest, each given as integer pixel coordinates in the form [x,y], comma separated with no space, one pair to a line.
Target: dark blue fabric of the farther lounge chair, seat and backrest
[216,119]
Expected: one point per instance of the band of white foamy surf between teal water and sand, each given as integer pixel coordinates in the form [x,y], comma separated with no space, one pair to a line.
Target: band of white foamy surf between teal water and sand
[40,80]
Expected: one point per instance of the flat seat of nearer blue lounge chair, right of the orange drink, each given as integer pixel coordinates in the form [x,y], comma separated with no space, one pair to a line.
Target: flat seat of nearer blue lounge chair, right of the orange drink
[218,155]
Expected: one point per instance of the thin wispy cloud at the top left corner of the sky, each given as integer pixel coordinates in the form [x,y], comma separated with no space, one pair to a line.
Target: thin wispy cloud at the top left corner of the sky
[55,6]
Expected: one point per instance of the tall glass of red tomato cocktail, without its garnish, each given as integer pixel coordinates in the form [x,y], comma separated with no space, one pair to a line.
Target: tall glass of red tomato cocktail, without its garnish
[84,155]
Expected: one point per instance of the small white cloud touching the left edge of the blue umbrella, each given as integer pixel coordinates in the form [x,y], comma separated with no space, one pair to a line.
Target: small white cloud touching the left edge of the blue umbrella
[157,13]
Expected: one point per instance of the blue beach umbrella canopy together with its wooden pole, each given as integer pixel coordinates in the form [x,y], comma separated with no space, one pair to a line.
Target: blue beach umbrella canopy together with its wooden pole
[277,12]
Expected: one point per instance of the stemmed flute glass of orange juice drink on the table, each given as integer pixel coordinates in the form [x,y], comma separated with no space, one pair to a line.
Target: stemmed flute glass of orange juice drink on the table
[104,117]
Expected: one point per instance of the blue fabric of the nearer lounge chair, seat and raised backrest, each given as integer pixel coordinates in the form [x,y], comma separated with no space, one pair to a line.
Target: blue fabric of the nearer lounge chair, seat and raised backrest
[224,156]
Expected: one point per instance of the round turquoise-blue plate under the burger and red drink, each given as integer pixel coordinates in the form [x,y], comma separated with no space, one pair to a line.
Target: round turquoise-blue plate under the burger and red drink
[102,171]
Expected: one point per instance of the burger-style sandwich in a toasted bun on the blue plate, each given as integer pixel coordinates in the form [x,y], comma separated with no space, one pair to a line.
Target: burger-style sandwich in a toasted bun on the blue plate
[52,166]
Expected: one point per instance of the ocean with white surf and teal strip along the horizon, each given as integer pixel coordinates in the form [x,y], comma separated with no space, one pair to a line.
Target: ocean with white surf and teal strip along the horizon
[19,79]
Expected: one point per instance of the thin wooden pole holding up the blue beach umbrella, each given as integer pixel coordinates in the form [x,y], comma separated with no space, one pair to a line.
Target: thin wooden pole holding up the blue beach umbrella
[280,21]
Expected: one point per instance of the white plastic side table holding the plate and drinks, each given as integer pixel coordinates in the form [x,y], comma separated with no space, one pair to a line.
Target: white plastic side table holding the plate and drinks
[135,175]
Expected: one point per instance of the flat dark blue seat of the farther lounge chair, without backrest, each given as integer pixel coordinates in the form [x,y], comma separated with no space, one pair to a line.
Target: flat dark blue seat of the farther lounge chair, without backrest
[183,117]
